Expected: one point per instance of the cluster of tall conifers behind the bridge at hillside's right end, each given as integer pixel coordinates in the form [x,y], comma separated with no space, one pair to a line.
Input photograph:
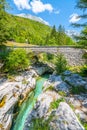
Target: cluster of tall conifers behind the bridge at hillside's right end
[58,37]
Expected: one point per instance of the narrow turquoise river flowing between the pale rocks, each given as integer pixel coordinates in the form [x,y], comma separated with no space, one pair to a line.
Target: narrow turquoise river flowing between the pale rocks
[28,105]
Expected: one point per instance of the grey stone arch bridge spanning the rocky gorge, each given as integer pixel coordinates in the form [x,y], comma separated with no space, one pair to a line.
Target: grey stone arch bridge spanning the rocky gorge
[73,55]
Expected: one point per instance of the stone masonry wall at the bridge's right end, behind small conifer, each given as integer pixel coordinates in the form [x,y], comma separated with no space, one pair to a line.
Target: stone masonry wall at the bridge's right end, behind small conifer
[74,56]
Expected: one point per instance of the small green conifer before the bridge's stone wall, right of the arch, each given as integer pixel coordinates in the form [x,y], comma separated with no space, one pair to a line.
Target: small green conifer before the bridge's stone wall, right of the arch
[61,64]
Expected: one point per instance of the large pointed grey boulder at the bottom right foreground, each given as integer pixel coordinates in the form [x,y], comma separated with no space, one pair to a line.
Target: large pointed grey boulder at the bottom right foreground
[65,119]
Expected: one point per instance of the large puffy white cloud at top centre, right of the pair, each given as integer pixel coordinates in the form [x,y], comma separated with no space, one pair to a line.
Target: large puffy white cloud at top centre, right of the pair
[37,6]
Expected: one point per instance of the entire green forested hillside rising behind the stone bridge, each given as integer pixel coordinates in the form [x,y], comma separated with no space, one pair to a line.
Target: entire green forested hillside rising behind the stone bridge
[30,32]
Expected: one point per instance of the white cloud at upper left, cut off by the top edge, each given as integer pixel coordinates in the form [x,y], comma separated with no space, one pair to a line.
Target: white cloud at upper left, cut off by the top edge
[22,4]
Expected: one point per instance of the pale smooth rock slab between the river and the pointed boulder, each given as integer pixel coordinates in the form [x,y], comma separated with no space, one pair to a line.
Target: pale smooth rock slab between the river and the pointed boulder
[42,106]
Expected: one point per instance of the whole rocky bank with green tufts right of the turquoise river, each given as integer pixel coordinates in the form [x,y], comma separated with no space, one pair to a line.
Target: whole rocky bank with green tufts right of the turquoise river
[60,105]
